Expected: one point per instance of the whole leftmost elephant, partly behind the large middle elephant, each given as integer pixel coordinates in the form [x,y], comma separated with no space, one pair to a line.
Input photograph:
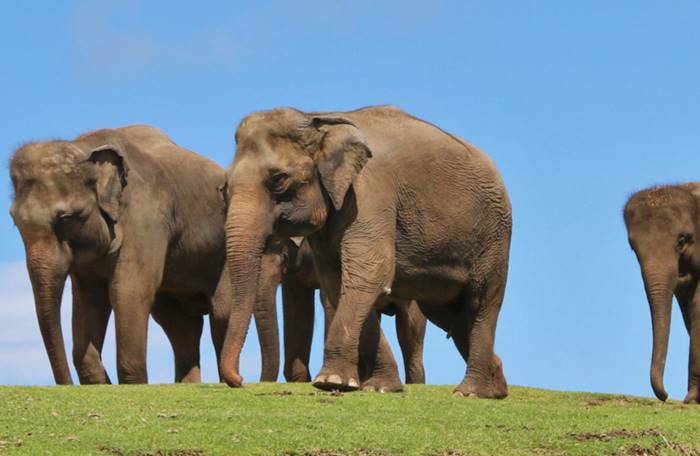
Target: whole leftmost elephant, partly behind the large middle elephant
[137,223]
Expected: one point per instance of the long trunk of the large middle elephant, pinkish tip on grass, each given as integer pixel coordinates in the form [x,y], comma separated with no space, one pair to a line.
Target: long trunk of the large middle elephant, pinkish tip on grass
[247,229]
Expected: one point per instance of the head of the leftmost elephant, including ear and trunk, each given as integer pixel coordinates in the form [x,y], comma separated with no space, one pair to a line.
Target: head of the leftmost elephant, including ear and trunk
[67,204]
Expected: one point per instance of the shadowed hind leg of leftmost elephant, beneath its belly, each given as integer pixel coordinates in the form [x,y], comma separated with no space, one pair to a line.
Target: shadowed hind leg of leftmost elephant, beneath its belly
[184,332]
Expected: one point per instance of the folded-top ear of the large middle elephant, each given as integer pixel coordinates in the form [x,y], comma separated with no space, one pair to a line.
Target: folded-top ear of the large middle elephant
[342,153]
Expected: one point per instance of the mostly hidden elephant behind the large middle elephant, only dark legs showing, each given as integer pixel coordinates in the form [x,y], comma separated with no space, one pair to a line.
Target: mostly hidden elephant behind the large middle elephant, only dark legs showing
[299,283]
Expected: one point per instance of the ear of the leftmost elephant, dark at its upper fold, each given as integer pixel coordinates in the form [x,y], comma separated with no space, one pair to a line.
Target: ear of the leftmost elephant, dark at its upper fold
[110,179]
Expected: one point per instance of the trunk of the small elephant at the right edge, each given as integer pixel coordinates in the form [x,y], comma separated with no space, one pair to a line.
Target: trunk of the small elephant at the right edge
[659,283]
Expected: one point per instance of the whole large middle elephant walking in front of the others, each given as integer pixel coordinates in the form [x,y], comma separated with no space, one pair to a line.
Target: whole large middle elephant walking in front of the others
[391,205]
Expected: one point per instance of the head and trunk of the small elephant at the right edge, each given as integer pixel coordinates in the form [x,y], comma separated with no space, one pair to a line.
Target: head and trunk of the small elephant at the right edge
[662,226]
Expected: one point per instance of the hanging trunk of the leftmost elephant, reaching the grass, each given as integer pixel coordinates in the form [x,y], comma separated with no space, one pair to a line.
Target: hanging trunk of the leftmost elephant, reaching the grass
[48,263]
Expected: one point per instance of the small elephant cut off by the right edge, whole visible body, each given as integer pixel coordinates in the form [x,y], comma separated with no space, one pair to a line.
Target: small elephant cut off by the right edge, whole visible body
[663,226]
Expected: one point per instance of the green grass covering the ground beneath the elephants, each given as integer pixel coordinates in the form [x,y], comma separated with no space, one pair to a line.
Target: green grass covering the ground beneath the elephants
[297,419]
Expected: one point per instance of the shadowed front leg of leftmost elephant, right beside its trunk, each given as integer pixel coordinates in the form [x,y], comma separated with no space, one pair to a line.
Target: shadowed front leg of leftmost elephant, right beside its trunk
[91,311]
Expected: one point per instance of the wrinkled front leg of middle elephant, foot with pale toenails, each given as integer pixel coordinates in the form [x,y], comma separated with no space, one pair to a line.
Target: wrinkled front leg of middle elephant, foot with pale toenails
[365,275]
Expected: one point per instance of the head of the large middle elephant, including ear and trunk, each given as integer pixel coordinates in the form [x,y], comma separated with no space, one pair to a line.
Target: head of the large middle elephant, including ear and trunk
[290,171]
